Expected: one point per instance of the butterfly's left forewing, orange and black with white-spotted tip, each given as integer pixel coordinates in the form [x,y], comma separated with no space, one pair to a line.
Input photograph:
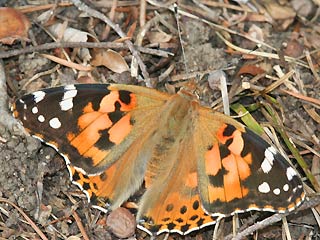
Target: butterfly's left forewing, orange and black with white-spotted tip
[91,118]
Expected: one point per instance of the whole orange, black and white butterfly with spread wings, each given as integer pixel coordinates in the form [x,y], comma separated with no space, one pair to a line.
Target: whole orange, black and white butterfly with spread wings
[195,164]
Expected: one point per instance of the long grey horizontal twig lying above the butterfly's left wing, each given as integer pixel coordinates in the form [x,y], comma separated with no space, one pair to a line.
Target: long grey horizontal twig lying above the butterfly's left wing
[52,45]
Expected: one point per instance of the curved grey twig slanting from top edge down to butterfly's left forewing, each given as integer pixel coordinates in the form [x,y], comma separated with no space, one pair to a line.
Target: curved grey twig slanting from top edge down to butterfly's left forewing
[91,12]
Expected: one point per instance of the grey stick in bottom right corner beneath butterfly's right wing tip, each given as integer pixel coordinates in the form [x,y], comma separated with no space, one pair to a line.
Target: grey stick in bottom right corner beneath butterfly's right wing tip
[271,220]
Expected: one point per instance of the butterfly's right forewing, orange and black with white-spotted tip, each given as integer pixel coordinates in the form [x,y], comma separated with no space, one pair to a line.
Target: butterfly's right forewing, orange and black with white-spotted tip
[239,171]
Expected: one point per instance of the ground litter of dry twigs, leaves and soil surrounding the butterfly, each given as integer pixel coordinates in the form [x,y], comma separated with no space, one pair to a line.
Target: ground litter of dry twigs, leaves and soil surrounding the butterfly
[269,51]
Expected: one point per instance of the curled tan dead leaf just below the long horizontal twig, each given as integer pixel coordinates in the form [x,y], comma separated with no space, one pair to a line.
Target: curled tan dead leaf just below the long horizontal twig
[110,59]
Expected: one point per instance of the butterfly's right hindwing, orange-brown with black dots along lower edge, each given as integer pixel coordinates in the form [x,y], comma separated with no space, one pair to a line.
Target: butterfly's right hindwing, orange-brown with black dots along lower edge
[172,203]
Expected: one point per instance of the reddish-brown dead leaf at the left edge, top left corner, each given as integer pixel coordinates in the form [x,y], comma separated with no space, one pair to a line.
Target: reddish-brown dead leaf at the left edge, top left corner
[13,26]
